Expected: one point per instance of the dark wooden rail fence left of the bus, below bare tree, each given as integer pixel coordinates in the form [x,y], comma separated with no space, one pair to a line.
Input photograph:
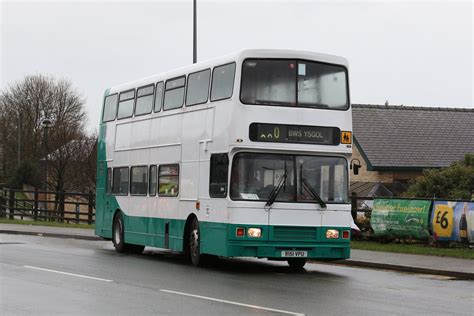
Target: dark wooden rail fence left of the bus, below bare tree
[66,207]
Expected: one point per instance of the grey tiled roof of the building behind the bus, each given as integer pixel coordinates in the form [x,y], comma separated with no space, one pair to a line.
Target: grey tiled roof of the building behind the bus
[412,137]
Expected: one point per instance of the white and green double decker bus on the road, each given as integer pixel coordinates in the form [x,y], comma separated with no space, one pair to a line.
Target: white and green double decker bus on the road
[246,155]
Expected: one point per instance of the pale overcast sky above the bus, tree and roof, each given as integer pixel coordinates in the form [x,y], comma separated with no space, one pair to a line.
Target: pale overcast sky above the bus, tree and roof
[411,53]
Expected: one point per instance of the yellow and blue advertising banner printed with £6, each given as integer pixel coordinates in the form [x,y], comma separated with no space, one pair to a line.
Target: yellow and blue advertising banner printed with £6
[453,221]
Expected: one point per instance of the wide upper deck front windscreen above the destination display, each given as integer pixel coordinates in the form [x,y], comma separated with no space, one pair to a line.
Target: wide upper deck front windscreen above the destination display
[286,82]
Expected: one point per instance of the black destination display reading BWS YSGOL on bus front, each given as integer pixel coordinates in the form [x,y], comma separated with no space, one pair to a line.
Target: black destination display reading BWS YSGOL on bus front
[281,133]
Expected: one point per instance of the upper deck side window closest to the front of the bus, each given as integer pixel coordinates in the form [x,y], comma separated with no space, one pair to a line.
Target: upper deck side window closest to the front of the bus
[222,82]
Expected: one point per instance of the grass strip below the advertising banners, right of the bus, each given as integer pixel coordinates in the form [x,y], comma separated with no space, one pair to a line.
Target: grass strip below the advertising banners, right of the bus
[415,249]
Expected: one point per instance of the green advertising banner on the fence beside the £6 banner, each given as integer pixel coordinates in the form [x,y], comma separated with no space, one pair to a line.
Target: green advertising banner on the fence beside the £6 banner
[401,218]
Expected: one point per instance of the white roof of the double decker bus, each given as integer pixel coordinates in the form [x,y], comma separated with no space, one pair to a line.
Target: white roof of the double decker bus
[233,57]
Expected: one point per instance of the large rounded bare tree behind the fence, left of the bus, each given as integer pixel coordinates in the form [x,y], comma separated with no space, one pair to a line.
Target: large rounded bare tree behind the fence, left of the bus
[23,107]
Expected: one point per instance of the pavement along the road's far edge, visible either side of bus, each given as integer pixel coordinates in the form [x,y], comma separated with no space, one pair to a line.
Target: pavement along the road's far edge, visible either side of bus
[423,264]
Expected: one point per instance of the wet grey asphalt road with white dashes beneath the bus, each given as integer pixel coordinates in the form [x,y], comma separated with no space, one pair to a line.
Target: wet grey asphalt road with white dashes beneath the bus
[45,276]
